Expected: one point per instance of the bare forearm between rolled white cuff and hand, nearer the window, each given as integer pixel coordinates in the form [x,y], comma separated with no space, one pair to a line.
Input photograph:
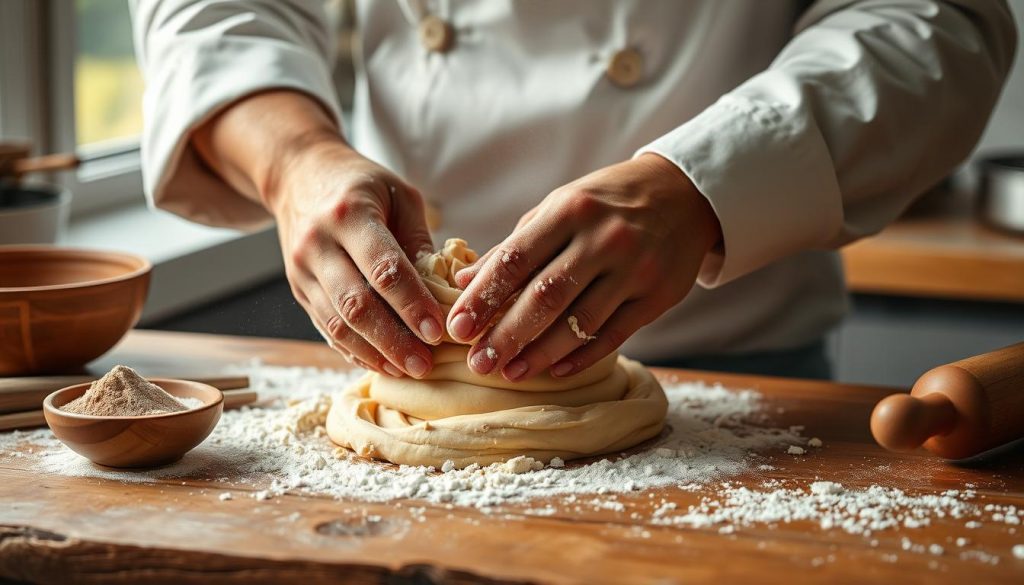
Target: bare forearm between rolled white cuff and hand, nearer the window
[252,143]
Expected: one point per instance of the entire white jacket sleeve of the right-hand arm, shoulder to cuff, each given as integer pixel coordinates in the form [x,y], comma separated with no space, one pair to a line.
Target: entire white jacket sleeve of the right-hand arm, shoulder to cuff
[871,104]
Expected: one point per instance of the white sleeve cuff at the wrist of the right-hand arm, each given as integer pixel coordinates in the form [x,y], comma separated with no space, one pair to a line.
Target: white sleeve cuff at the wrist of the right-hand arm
[769,178]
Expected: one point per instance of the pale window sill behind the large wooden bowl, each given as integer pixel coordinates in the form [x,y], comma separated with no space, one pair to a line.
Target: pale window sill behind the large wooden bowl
[192,265]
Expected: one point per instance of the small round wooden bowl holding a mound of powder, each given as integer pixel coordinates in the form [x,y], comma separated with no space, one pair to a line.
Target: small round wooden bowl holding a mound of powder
[136,441]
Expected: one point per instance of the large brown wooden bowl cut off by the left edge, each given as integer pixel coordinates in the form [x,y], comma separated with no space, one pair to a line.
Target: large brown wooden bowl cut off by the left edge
[61,309]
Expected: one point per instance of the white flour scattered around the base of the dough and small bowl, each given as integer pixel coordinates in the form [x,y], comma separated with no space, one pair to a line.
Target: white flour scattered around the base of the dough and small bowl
[282,447]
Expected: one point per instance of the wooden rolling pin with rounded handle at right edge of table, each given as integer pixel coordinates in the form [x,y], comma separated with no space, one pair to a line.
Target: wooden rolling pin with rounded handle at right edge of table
[958,410]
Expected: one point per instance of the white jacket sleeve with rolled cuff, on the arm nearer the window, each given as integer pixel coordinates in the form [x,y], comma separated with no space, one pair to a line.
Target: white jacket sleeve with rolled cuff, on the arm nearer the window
[199,57]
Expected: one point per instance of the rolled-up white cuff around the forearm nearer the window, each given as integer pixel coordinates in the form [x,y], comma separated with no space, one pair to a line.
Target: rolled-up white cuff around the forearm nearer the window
[206,78]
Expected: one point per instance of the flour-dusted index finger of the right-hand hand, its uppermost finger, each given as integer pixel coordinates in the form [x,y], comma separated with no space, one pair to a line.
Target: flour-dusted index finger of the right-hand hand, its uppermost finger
[505,273]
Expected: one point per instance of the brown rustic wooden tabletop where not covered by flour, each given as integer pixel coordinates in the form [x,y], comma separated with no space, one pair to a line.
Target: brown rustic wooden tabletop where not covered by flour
[64,530]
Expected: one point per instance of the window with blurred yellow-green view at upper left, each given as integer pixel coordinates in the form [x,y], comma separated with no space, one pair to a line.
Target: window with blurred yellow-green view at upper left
[69,82]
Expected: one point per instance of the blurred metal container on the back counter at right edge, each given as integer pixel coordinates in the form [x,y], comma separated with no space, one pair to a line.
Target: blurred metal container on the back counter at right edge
[1002,201]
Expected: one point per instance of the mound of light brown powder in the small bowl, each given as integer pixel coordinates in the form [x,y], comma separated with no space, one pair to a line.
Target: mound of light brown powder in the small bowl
[123,393]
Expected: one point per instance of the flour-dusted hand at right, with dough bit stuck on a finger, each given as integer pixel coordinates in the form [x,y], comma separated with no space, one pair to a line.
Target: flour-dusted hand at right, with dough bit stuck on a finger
[615,250]
